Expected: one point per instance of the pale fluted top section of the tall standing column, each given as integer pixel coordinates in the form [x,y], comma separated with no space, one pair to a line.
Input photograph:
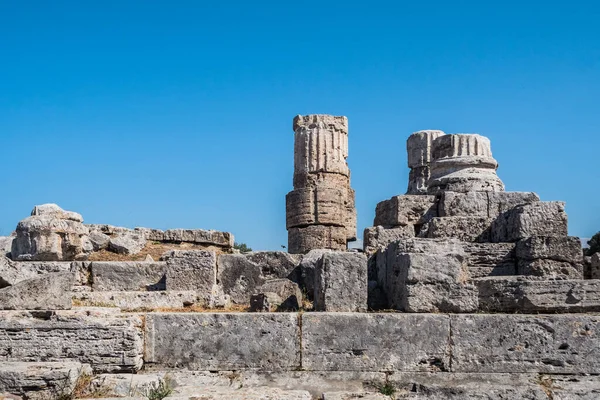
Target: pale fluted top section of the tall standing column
[321,144]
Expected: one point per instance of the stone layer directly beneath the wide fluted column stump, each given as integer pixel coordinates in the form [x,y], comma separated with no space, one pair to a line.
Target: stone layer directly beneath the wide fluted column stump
[482,204]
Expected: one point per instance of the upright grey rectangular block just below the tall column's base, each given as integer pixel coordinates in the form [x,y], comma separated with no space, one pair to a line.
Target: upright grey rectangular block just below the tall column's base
[341,282]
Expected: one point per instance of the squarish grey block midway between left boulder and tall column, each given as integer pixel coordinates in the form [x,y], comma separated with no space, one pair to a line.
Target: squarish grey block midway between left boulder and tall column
[191,270]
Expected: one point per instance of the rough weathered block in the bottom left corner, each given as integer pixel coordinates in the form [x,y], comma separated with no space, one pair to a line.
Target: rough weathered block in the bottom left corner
[41,380]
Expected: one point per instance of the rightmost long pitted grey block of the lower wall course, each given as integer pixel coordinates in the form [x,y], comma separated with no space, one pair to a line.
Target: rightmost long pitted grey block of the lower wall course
[501,343]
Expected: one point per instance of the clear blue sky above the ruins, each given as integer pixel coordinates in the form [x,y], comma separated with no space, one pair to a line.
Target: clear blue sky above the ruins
[178,114]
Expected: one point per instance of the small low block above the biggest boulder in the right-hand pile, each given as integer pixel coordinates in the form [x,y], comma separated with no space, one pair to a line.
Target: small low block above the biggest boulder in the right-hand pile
[466,229]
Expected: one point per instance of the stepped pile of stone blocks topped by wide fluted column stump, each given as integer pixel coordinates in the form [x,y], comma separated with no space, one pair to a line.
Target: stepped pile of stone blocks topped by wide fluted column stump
[429,251]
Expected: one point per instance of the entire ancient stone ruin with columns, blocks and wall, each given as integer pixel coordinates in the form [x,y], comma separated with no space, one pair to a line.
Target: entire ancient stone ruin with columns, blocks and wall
[463,291]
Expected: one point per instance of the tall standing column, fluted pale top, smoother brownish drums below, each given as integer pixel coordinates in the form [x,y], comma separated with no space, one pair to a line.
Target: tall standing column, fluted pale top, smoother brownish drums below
[320,211]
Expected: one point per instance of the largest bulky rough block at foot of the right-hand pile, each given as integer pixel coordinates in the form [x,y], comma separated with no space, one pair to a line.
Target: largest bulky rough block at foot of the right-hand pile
[430,281]
